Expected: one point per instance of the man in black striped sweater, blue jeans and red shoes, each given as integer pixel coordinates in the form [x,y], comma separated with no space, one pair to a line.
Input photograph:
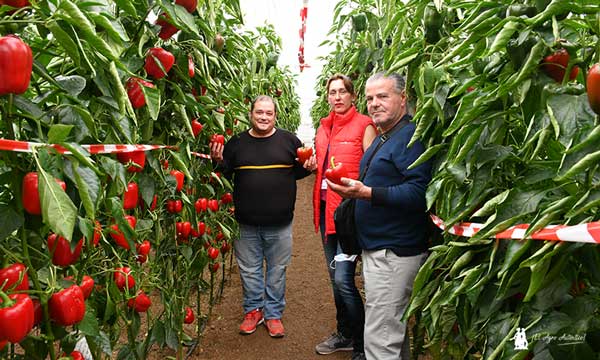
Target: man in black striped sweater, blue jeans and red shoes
[262,163]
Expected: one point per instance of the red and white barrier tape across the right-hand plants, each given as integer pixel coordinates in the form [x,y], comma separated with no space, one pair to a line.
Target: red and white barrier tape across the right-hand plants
[587,233]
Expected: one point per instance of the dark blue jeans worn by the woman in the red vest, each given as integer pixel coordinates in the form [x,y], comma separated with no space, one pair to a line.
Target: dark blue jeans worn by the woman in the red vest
[350,312]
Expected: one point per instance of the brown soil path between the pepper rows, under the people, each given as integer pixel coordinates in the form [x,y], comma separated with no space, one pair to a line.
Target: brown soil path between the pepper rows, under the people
[310,312]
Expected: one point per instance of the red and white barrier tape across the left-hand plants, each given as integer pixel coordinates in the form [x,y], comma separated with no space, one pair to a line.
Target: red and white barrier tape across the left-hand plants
[27,146]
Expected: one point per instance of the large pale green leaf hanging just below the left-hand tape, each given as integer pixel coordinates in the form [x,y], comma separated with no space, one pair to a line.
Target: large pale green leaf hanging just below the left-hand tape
[58,211]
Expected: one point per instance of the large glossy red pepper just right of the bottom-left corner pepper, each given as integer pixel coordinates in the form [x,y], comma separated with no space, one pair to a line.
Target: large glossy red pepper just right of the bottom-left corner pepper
[67,307]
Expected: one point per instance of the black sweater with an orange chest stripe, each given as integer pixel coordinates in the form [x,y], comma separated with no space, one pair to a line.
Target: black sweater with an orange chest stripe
[264,174]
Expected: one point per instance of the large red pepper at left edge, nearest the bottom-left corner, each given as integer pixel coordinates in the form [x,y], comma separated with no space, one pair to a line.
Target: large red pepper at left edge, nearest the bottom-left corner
[16,317]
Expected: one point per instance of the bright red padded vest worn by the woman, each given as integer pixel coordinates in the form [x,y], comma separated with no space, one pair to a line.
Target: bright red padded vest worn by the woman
[343,134]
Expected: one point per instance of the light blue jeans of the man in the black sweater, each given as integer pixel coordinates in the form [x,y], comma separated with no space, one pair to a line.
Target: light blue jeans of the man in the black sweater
[274,244]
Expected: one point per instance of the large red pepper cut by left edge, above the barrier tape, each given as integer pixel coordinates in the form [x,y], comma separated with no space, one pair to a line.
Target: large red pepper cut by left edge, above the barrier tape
[16,62]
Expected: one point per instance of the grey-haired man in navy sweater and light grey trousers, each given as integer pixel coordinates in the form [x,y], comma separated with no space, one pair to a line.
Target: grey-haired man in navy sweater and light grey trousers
[391,217]
